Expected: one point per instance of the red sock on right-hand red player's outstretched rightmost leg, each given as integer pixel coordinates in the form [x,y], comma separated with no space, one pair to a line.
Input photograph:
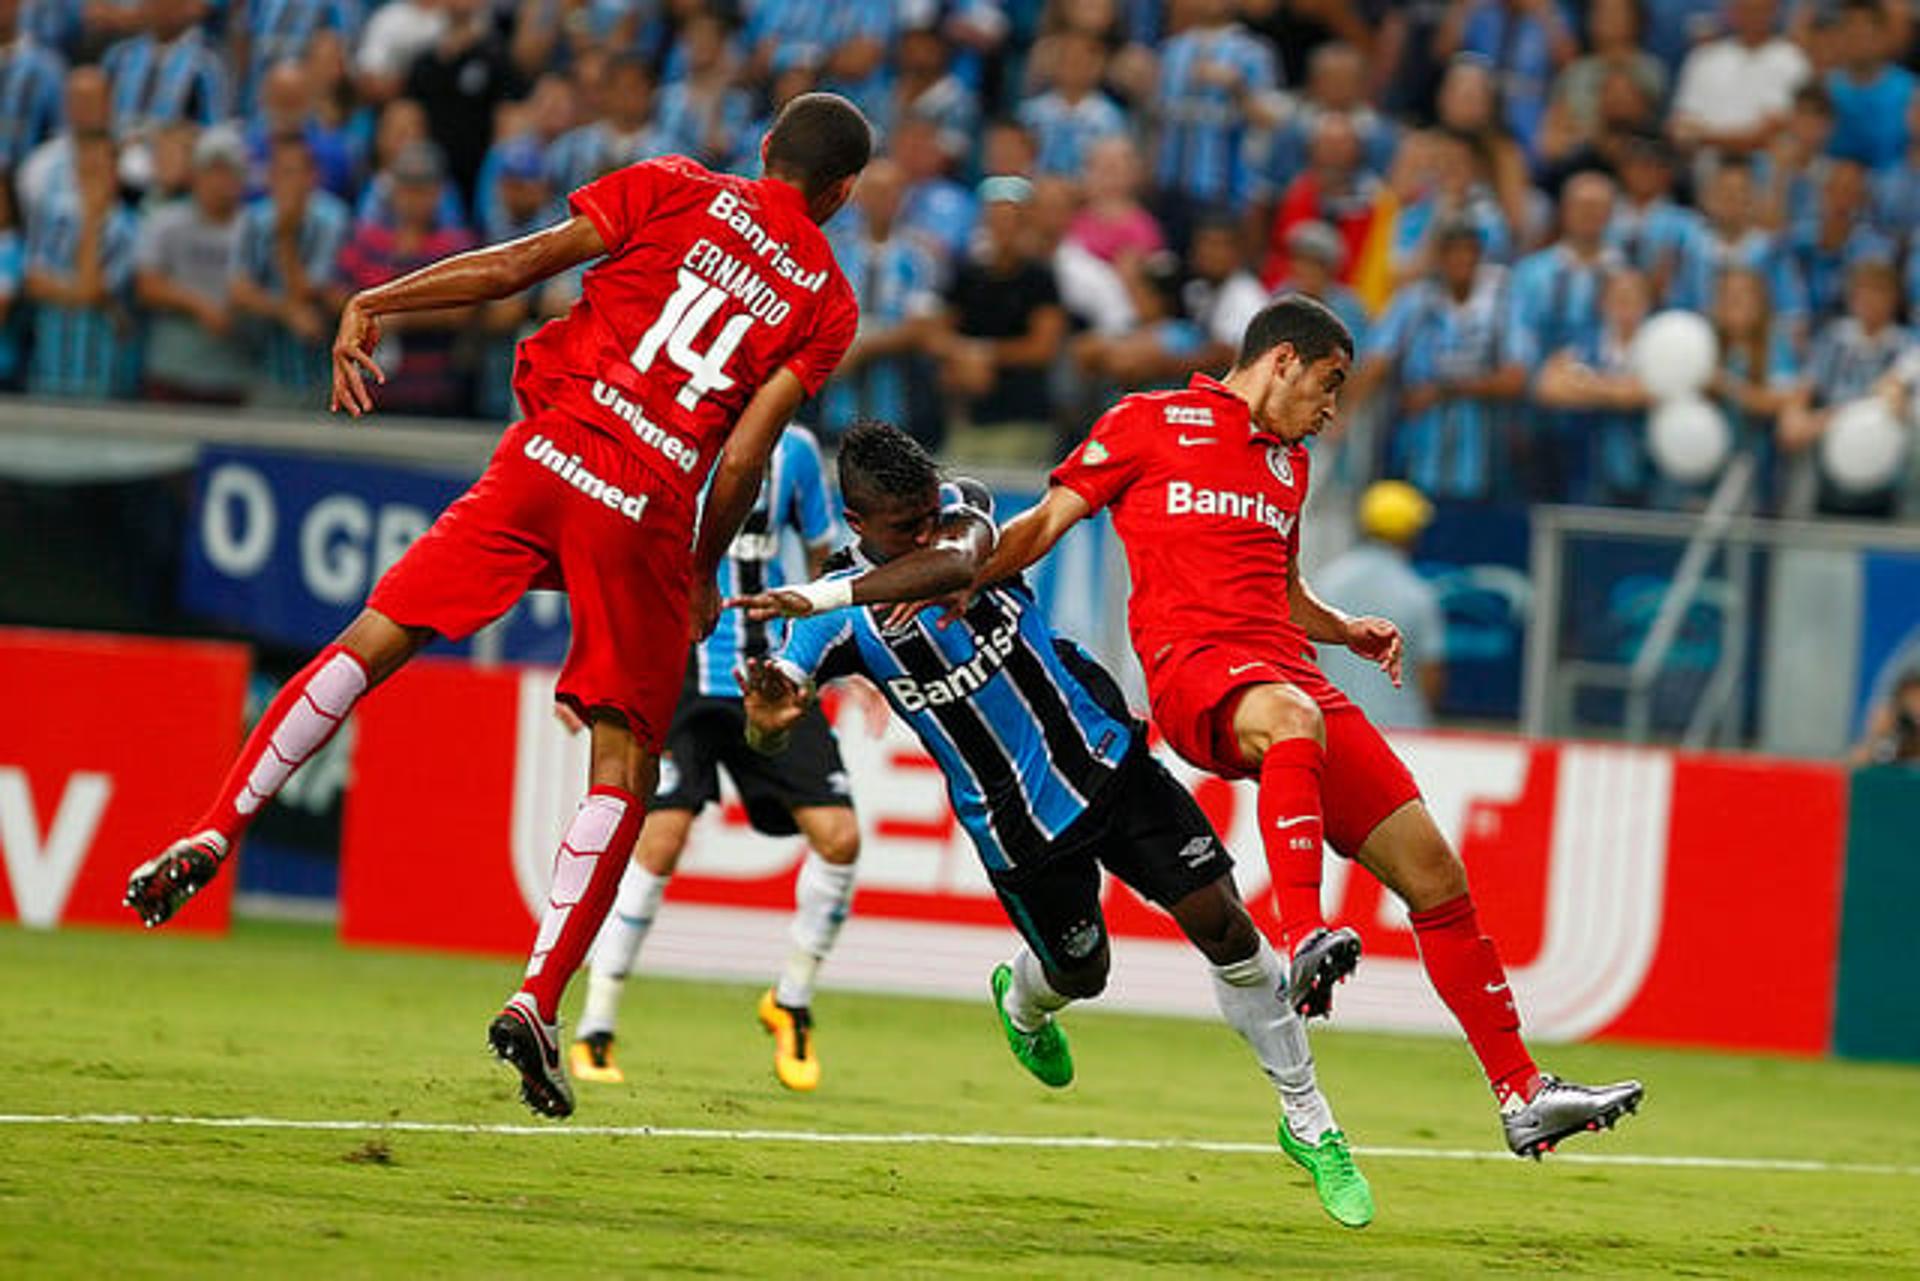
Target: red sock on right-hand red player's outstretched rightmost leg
[1468,975]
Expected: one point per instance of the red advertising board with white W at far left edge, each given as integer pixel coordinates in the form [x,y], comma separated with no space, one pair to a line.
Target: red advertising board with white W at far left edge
[108,748]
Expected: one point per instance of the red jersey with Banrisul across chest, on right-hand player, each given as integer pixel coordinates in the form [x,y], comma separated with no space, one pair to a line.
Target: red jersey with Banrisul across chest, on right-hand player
[1209,508]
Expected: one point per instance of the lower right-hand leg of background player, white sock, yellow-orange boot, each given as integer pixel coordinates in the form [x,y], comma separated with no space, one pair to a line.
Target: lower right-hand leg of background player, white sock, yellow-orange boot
[821,900]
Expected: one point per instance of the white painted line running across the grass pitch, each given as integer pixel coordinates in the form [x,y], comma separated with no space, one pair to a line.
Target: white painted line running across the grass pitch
[934,1140]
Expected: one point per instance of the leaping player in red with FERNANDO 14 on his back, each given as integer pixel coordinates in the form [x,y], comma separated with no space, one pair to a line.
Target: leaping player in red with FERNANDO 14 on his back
[713,312]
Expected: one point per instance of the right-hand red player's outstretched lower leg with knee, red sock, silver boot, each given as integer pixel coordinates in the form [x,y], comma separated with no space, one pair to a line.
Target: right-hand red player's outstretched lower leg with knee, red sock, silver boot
[1414,859]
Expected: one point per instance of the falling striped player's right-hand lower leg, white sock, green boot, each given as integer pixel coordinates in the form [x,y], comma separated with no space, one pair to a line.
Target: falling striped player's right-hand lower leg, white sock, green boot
[1251,988]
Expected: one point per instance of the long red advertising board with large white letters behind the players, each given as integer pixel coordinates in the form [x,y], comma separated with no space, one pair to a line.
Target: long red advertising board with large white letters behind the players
[1635,894]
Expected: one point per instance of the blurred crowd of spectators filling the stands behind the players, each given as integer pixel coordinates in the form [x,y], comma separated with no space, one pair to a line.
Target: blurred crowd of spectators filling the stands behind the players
[1072,199]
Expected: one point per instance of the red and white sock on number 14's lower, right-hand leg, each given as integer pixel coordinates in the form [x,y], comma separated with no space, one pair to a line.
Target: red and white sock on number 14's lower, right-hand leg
[587,877]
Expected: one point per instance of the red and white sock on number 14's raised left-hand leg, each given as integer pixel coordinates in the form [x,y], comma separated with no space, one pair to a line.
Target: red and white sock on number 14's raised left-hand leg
[295,727]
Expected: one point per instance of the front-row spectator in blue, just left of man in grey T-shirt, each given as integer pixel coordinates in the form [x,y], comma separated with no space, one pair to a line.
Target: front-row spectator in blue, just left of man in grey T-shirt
[80,270]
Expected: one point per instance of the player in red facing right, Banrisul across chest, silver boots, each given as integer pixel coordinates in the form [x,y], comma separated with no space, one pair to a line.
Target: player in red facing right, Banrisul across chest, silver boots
[1207,489]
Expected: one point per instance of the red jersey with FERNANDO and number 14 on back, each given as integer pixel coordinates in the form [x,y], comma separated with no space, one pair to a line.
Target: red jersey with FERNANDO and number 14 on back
[709,287]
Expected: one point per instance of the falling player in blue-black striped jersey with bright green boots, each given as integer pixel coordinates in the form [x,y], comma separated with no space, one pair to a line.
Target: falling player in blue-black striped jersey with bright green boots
[1047,771]
